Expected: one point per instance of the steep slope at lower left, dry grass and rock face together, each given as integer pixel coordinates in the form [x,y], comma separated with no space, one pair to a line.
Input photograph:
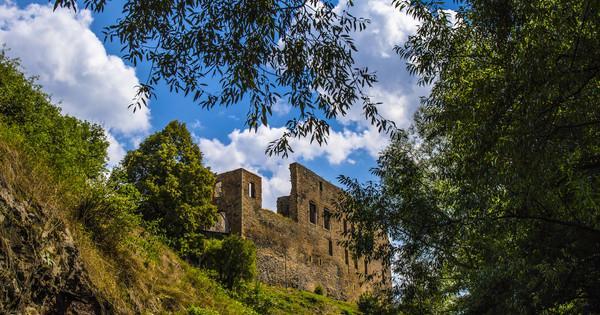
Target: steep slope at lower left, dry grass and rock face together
[48,264]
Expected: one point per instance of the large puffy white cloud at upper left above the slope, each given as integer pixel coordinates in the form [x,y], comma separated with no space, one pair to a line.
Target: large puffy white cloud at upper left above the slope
[73,66]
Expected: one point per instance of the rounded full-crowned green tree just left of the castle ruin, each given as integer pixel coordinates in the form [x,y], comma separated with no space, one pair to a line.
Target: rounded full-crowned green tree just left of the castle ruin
[176,188]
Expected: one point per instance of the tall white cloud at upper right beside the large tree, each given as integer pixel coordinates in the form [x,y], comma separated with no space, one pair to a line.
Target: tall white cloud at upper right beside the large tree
[396,89]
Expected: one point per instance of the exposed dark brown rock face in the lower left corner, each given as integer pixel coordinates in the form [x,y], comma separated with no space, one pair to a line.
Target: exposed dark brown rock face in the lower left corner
[40,268]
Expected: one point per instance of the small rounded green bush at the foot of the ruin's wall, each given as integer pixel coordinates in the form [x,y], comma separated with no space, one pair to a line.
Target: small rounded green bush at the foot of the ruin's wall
[233,259]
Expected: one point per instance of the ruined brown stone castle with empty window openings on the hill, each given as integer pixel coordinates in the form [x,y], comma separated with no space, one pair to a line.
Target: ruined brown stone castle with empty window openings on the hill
[292,251]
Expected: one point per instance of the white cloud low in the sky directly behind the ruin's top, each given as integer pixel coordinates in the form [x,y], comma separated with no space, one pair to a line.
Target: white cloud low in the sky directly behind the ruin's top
[247,149]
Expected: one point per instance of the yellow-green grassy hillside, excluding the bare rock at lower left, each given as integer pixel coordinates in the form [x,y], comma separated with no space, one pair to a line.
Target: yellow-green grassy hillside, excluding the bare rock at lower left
[143,276]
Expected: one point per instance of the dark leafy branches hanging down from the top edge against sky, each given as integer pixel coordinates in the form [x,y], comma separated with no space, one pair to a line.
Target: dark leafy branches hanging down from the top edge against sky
[261,52]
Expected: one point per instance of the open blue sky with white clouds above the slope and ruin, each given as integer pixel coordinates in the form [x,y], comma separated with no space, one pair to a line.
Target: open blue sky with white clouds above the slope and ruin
[85,74]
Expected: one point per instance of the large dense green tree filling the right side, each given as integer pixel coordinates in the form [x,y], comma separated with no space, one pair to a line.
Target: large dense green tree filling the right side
[493,199]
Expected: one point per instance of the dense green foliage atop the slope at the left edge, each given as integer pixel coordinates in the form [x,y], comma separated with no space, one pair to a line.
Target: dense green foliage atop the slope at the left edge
[74,149]
